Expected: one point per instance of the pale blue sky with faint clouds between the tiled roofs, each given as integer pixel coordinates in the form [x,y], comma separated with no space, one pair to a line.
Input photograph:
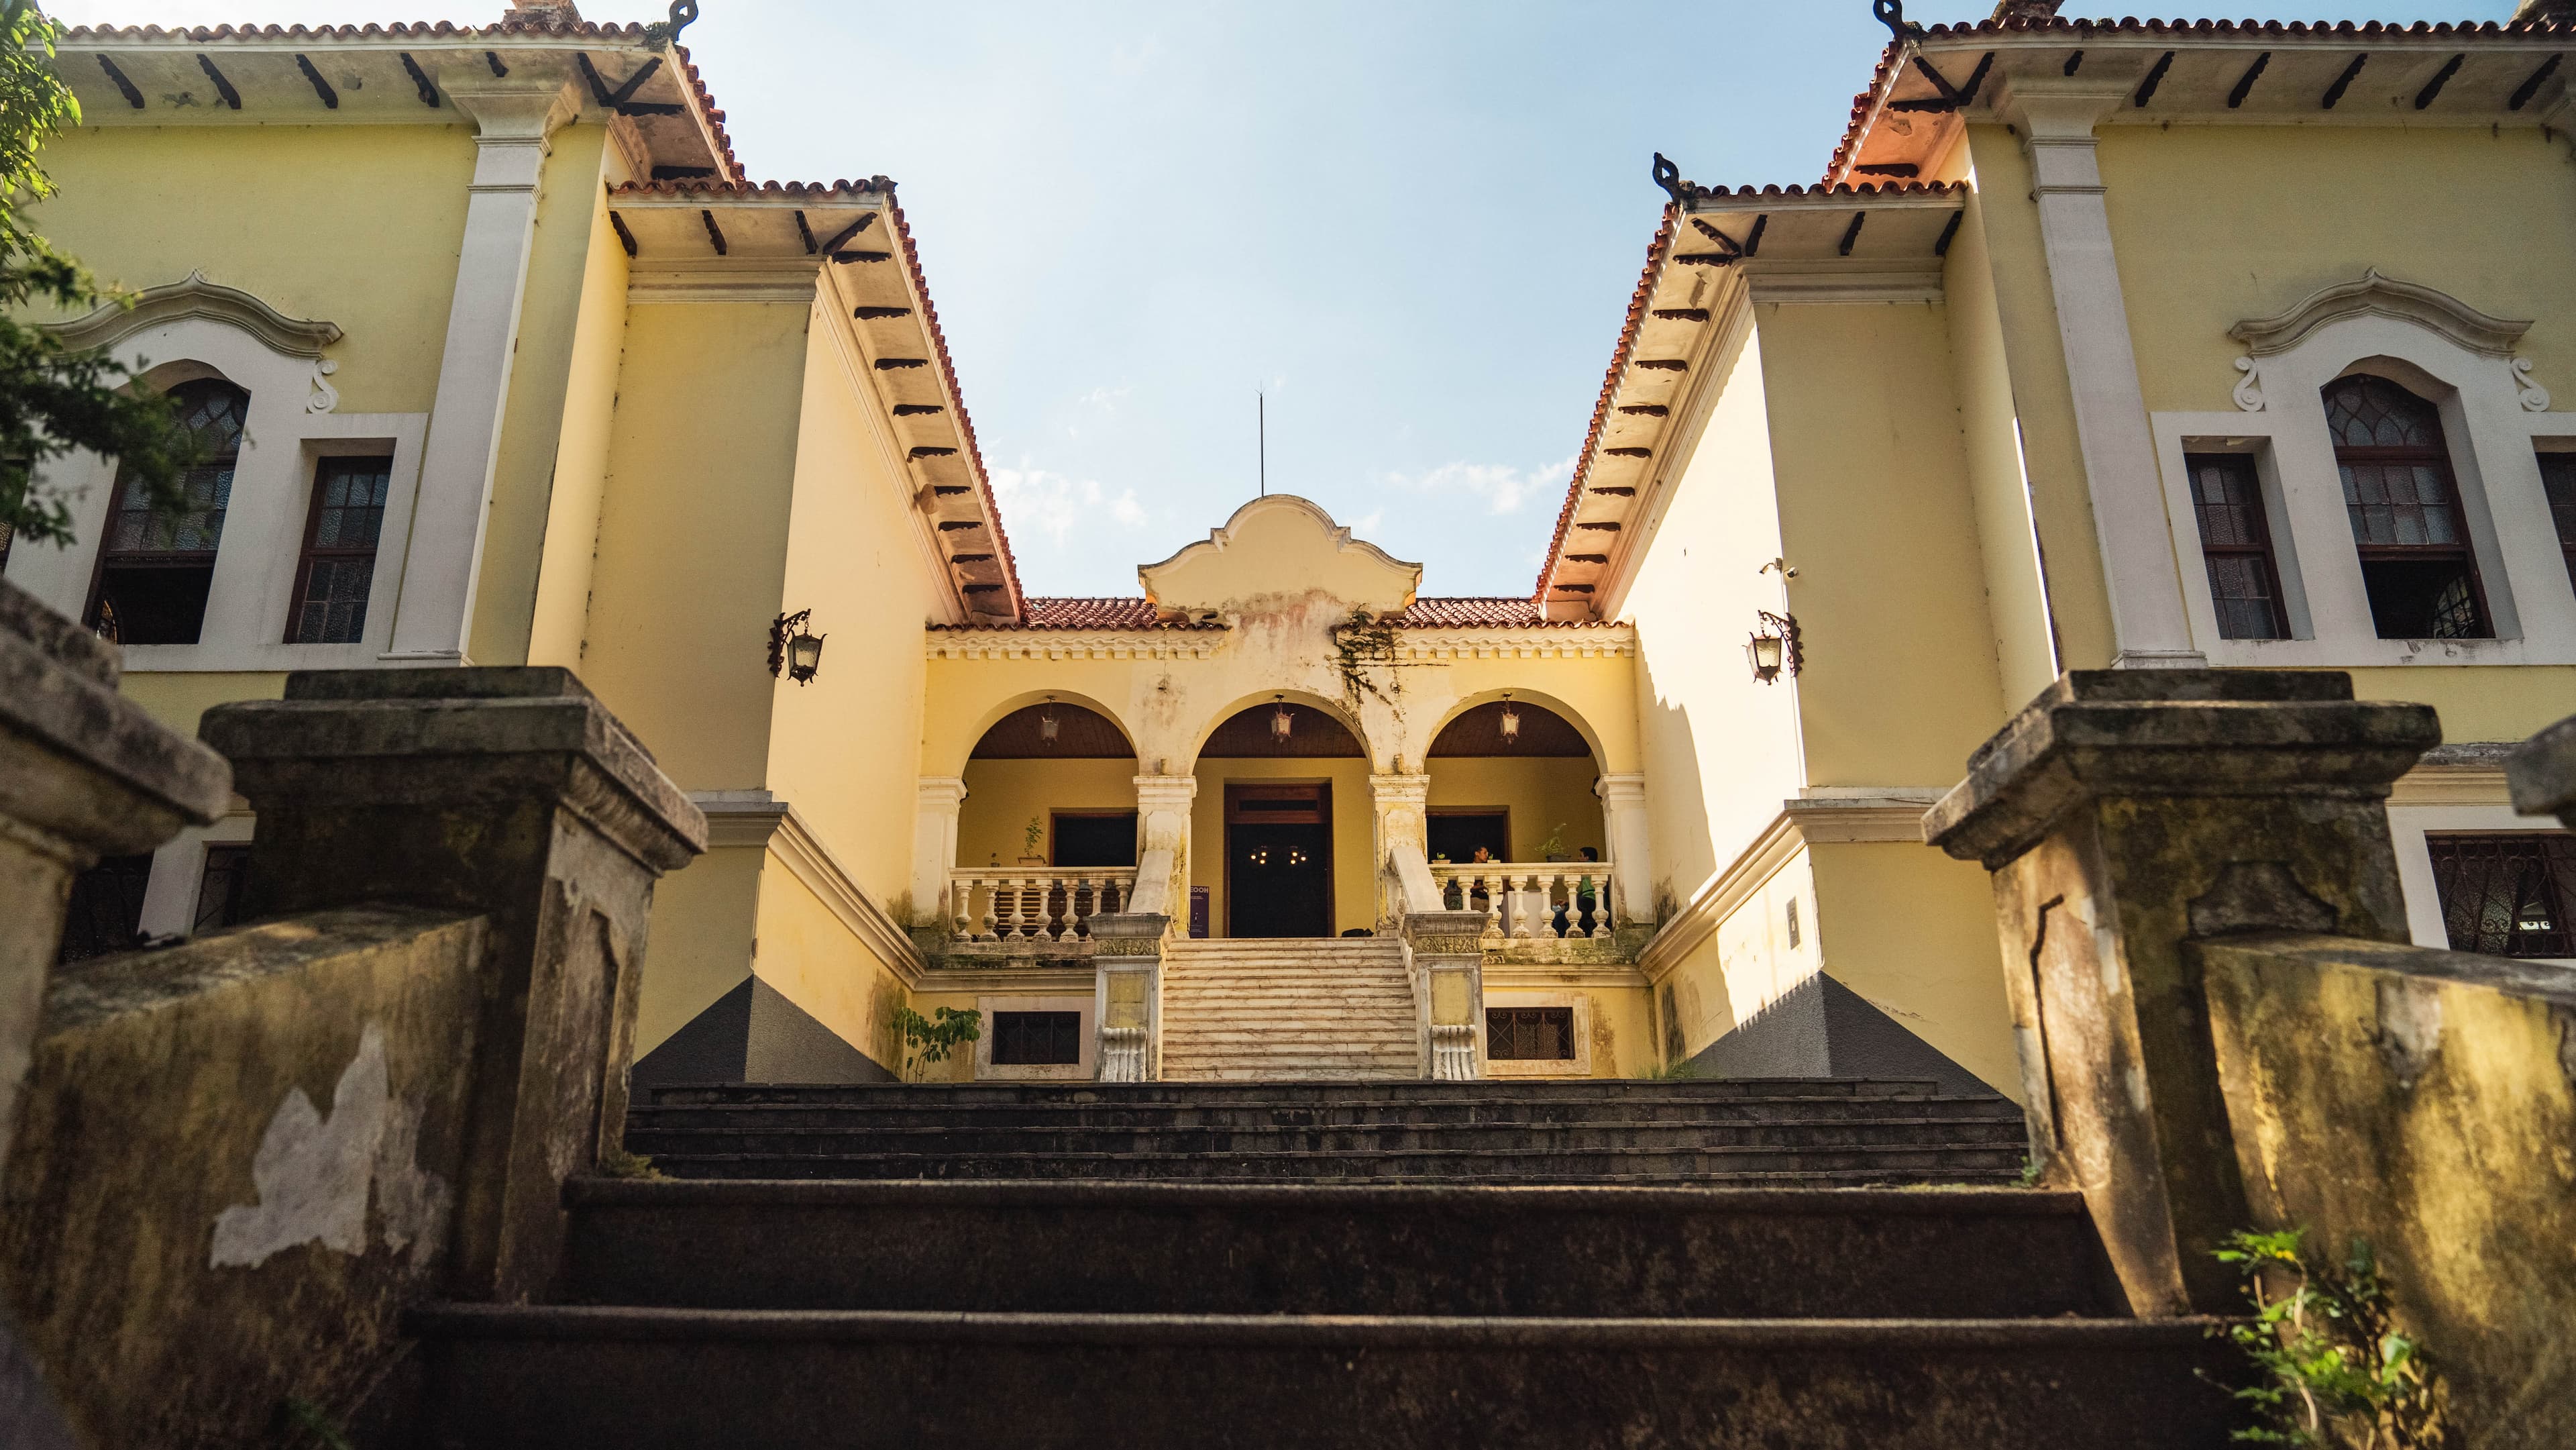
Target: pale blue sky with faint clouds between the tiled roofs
[1416,225]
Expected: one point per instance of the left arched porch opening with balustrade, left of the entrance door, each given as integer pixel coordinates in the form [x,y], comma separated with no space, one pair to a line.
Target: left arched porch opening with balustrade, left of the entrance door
[1047,833]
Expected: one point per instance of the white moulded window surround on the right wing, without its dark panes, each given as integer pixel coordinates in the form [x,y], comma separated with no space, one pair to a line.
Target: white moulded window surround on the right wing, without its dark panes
[2495,444]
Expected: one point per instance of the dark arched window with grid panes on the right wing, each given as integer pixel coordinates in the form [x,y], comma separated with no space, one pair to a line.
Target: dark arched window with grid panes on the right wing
[2405,506]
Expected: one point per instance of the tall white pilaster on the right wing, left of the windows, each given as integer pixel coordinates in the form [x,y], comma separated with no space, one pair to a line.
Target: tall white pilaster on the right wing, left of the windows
[2139,568]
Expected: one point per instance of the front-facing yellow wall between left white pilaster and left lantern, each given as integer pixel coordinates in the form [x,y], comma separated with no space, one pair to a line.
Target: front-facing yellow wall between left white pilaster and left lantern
[694,534]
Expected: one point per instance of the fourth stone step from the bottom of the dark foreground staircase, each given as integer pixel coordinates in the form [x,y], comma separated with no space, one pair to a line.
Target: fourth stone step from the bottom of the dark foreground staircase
[1106,1111]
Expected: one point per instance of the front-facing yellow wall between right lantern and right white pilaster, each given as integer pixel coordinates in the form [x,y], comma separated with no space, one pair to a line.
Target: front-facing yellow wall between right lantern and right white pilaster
[1879,519]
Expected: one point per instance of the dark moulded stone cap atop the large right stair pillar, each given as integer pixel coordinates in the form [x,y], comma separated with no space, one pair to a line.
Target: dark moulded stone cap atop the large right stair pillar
[2175,733]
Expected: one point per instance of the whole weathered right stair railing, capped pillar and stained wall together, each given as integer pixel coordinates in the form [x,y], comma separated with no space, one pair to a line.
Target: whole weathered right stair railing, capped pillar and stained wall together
[2224,1024]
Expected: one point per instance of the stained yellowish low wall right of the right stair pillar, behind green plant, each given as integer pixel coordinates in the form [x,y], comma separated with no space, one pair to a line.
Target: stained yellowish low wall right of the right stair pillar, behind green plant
[2423,1101]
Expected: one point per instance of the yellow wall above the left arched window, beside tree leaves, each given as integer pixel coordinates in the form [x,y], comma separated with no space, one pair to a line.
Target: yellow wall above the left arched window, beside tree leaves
[375,218]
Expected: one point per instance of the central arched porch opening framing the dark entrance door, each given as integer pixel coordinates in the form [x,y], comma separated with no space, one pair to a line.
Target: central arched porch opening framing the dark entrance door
[1282,825]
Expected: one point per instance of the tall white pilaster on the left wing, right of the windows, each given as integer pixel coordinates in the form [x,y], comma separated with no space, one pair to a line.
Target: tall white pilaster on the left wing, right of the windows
[444,560]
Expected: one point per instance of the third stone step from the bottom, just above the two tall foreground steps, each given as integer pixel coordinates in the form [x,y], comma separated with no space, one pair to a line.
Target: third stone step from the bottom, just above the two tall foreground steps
[836,1158]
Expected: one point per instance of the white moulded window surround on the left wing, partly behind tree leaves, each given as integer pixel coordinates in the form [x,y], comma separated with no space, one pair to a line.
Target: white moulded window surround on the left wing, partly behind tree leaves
[285,439]
